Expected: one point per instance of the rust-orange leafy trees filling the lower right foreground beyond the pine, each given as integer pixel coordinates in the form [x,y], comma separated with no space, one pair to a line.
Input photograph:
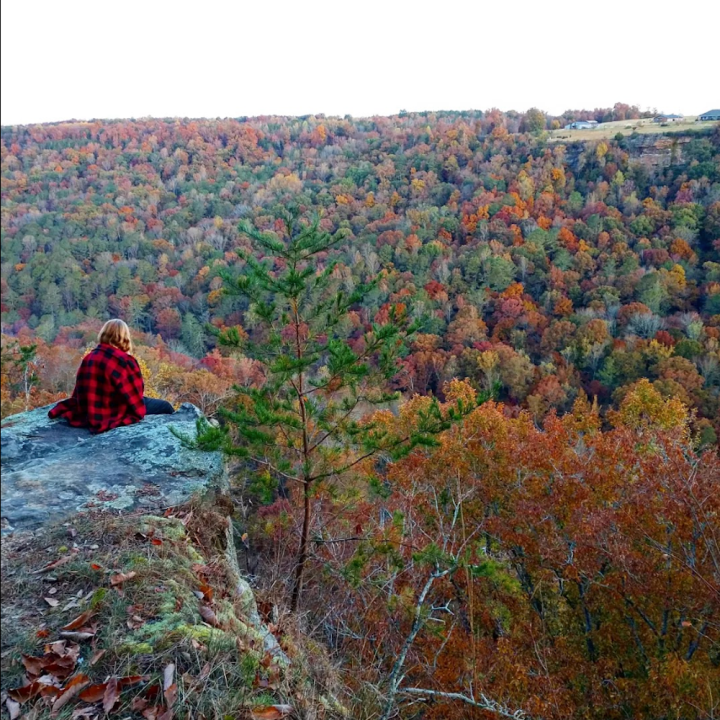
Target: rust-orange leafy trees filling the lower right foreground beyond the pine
[562,571]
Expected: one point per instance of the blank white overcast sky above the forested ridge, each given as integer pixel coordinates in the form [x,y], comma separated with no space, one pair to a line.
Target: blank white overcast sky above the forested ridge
[84,59]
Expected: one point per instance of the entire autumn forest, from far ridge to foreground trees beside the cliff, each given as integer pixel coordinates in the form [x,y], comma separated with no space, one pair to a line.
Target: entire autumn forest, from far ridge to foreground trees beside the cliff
[513,508]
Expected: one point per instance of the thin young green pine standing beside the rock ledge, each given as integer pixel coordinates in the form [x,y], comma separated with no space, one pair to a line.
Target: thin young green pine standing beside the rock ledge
[303,427]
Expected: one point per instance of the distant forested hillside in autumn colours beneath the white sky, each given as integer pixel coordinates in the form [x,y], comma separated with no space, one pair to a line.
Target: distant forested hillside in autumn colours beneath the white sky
[541,270]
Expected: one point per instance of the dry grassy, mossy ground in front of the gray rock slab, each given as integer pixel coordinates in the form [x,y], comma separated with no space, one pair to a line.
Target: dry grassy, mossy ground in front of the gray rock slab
[174,566]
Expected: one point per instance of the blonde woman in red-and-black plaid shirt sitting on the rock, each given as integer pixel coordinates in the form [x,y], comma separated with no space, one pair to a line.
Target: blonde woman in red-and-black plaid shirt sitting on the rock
[109,386]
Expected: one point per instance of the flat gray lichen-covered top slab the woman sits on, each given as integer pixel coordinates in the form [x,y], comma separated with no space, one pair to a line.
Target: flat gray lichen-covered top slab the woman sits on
[50,470]
